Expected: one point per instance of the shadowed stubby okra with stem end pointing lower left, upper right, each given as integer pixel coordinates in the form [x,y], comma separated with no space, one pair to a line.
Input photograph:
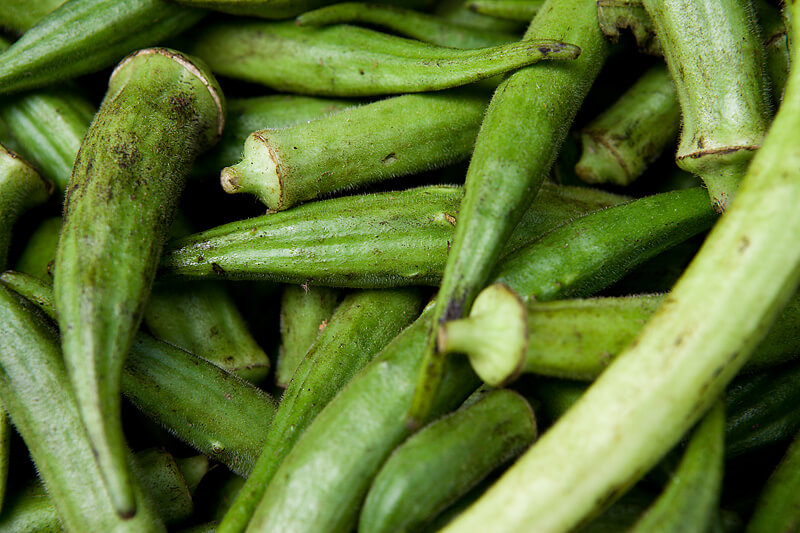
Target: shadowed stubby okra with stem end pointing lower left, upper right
[620,144]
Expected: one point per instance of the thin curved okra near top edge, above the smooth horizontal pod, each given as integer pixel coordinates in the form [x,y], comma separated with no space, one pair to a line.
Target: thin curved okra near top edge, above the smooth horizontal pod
[406,22]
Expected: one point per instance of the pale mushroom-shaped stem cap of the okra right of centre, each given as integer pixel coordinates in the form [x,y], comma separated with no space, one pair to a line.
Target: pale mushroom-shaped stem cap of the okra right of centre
[494,337]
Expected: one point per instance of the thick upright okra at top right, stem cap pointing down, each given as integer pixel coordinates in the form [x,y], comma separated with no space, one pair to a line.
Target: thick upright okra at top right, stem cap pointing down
[723,91]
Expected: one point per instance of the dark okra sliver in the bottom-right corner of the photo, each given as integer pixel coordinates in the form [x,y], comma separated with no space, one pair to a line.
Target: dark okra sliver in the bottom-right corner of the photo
[778,507]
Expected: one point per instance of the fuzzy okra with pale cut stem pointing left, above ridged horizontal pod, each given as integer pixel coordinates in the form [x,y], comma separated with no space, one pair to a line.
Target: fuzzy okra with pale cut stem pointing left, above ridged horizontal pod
[375,142]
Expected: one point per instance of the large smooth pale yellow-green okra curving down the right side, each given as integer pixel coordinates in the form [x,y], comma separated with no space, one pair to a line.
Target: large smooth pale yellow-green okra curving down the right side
[640,407]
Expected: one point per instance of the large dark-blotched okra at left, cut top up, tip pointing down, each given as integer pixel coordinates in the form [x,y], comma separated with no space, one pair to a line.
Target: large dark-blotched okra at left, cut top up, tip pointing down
[122,196]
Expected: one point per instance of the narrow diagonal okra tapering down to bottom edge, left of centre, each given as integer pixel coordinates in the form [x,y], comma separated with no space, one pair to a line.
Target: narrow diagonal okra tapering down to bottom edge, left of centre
[362,325]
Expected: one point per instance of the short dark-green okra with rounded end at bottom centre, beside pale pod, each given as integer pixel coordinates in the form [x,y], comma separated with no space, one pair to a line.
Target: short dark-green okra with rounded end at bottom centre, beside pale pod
[440,463]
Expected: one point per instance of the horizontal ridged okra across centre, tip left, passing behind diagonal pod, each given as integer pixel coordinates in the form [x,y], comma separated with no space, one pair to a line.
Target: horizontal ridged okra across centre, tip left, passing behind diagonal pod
[322,243]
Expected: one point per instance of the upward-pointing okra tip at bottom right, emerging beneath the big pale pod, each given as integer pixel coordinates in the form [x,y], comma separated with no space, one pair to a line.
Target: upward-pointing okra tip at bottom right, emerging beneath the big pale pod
[689,501]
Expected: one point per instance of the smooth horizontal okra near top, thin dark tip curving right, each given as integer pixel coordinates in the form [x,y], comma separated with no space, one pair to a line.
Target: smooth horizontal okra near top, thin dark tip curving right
[344,60]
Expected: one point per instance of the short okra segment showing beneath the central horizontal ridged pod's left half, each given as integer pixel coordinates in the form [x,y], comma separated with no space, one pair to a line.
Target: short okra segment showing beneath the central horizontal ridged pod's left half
[305,312]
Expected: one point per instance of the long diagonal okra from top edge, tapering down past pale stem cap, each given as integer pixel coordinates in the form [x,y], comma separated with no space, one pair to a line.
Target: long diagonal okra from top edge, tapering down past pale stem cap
[518,142]
